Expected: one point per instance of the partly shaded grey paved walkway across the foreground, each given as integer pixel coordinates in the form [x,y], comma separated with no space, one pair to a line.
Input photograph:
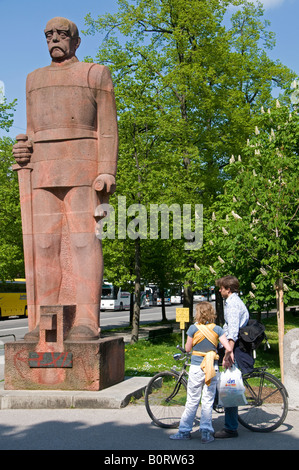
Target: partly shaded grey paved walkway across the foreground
[126,430]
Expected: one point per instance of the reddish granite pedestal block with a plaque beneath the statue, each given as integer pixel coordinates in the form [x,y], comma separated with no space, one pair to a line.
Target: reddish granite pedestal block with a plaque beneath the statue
[56,363]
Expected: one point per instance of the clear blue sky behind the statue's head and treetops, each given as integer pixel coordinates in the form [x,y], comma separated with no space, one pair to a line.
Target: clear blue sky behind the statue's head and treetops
[23,47]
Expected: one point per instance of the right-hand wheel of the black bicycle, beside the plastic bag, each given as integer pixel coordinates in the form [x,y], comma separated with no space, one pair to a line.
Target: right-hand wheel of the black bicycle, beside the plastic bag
[267,402]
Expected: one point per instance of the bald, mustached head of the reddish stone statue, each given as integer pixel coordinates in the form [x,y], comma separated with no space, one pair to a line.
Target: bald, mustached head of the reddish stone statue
[62,38]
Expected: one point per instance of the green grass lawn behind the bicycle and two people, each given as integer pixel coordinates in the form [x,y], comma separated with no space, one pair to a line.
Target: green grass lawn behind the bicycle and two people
[146,358]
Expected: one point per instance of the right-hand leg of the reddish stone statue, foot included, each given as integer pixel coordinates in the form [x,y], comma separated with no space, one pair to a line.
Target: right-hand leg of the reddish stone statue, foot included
[87,262]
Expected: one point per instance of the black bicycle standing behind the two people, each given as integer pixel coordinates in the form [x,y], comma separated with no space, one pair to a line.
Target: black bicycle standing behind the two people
[267,398]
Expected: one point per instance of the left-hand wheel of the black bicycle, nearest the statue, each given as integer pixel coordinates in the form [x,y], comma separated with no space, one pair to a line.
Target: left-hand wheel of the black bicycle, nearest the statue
[165,398]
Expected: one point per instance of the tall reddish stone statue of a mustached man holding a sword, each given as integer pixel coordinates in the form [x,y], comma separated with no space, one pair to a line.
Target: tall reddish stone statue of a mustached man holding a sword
[70,150]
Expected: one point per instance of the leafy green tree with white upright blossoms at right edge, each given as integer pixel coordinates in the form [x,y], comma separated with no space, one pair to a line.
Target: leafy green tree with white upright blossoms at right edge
[253,231]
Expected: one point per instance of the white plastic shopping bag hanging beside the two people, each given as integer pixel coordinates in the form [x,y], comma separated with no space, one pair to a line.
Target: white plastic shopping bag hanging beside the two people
[231,388]
